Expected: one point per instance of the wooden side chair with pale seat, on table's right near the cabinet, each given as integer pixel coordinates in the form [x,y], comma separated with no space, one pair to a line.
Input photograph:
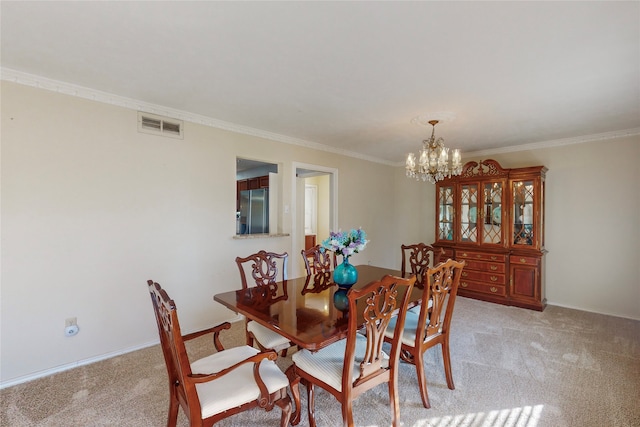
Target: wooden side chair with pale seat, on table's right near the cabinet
[431,325]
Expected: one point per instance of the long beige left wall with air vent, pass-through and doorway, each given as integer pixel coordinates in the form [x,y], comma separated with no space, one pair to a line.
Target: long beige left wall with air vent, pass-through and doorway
[91,209]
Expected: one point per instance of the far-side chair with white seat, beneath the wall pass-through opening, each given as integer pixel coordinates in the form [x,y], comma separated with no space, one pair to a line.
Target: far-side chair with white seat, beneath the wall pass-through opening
[266,269]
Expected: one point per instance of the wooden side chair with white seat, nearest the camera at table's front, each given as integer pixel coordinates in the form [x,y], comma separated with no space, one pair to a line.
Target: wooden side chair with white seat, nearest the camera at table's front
[357,363]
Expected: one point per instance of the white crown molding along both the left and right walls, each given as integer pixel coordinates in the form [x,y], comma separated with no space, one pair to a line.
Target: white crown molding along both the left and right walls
[120,101]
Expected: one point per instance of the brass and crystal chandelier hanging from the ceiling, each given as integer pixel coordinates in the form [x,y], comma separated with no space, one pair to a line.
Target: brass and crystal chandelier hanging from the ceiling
[433,161]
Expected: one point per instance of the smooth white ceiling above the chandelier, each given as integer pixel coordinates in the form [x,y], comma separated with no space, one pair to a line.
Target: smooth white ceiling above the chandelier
[351,75]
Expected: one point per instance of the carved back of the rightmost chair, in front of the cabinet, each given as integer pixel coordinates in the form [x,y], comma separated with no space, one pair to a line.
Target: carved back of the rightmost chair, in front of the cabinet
[444,279]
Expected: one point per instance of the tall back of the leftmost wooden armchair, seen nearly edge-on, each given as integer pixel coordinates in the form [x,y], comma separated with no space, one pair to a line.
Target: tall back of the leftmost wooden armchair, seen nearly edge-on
[174,350]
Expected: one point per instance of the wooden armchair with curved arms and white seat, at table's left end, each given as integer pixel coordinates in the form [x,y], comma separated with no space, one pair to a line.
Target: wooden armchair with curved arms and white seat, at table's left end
[225,383]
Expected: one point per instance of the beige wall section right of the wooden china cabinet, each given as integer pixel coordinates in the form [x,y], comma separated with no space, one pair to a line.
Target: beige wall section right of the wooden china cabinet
[592,229]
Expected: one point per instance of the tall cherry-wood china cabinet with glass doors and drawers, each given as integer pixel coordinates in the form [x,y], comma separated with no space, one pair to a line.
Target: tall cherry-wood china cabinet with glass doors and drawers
[493,218]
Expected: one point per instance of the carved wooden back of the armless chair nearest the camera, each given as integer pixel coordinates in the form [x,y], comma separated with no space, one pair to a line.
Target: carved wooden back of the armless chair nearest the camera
[374,305]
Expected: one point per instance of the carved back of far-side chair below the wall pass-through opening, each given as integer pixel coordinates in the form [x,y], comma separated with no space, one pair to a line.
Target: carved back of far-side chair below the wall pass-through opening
[266,269]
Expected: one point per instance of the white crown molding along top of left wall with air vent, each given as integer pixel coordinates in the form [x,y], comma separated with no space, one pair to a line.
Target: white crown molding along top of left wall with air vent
[133,104]
